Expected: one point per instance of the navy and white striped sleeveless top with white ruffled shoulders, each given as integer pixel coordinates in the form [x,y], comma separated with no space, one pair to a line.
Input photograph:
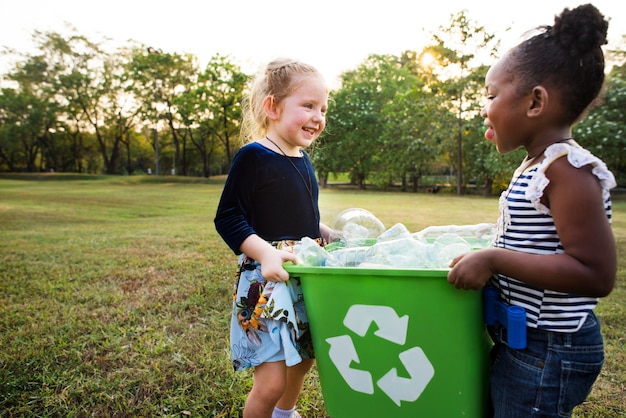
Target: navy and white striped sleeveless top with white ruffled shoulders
[526,225]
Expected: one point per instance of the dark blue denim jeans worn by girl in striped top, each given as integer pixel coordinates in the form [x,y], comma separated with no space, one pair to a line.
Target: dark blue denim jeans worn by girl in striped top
[553,374]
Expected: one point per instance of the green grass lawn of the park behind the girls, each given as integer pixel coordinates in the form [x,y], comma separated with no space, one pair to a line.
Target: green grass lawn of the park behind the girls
[115,295]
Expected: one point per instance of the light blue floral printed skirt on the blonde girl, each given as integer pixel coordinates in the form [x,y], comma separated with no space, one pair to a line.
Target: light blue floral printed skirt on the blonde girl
[269,321]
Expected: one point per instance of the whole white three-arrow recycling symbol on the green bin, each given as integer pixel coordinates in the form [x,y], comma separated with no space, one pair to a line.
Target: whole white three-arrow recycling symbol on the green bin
[392,328]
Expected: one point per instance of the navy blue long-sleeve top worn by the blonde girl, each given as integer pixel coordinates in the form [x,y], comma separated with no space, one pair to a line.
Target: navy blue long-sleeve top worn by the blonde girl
[268,194]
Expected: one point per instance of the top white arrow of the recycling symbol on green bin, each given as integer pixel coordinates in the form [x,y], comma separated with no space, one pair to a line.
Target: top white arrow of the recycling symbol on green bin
[390,326]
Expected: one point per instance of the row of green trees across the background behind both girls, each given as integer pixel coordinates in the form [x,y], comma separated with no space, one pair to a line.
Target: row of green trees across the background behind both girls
[76,105]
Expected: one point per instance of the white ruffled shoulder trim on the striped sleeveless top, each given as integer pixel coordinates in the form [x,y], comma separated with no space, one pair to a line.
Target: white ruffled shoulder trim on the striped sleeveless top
[578,157]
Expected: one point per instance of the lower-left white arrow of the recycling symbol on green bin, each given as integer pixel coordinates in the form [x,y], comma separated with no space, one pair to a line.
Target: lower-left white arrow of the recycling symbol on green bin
[342,353]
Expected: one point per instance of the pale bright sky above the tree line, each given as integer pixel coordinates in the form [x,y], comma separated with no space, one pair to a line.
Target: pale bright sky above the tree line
[333,35]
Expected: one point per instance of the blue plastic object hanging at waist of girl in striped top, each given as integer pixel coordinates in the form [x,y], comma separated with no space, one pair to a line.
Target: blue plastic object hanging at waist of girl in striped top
[512,318]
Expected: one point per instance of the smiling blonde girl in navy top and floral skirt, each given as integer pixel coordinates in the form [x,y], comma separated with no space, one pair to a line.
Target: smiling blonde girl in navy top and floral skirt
[269,202]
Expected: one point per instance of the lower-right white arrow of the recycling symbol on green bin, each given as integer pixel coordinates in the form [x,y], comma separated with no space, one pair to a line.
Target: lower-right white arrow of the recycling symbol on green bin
[408,389]
